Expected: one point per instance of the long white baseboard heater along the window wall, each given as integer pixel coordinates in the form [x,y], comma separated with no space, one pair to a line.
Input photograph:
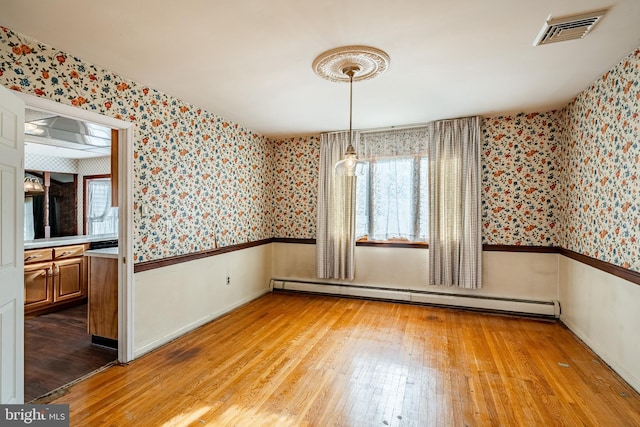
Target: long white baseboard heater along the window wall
[474,302]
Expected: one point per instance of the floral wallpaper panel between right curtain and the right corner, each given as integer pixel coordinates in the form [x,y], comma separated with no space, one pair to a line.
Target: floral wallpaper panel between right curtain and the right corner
[520,179]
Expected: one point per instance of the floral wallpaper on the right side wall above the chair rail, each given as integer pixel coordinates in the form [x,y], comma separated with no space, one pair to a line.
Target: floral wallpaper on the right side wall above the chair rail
[601,168]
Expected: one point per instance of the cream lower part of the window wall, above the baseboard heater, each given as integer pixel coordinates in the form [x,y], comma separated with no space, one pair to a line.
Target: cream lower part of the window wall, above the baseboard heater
[517,275]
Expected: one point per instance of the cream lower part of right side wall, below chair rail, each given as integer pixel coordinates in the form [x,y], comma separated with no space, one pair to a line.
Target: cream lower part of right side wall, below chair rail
[603,311]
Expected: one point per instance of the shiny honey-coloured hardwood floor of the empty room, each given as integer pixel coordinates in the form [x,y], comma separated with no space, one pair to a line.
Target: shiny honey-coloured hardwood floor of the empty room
[290,359]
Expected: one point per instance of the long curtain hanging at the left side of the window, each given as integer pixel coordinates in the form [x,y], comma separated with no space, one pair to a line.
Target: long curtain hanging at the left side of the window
[335,240]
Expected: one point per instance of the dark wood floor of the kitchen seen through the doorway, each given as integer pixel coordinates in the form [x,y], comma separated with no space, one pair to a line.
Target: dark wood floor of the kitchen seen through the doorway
[58,351]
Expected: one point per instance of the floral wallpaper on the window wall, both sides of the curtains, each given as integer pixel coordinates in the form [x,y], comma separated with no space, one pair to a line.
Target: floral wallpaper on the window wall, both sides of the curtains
[520,182]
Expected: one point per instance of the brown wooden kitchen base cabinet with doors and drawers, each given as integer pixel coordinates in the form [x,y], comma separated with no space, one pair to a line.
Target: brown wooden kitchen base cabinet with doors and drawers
[54,277]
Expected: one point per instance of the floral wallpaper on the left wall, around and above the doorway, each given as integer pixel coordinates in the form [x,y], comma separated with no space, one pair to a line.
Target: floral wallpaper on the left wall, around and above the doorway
[203,180]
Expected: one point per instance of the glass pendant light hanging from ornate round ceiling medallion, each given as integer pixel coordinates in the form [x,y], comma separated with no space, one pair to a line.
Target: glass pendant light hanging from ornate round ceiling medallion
[349,64]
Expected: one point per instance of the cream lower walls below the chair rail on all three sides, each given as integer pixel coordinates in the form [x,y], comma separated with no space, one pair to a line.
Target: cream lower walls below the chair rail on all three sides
[599,308]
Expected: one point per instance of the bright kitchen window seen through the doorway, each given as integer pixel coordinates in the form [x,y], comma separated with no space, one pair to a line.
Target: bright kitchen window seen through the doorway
[100,217]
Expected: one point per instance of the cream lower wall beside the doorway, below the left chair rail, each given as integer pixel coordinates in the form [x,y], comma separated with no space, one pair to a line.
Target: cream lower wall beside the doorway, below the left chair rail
[173,300]
